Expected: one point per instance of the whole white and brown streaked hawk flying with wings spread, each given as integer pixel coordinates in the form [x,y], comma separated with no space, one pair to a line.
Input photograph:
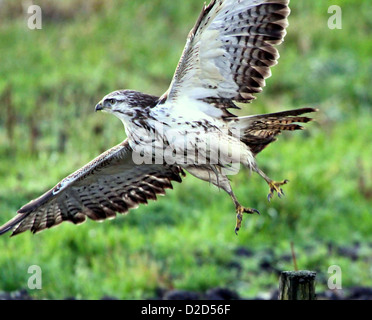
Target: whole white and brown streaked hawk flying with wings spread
[227,57]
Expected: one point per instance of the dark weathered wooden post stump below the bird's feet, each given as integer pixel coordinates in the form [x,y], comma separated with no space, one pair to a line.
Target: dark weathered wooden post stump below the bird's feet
[297,285]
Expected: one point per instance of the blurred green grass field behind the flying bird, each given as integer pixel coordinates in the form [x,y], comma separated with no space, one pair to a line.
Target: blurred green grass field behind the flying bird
[50,80]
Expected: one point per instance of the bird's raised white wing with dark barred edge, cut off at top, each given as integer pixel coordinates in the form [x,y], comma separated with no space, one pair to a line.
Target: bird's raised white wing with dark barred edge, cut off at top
[229,52]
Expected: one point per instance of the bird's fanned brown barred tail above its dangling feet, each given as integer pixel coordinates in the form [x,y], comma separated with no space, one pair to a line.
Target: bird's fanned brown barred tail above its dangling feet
[258,131]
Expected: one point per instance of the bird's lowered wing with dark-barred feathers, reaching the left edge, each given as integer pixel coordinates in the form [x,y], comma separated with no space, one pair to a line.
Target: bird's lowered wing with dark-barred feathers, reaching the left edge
[108,184]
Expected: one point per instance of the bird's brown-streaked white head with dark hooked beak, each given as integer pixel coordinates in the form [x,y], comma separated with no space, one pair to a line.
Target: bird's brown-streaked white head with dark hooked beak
[125,104]
